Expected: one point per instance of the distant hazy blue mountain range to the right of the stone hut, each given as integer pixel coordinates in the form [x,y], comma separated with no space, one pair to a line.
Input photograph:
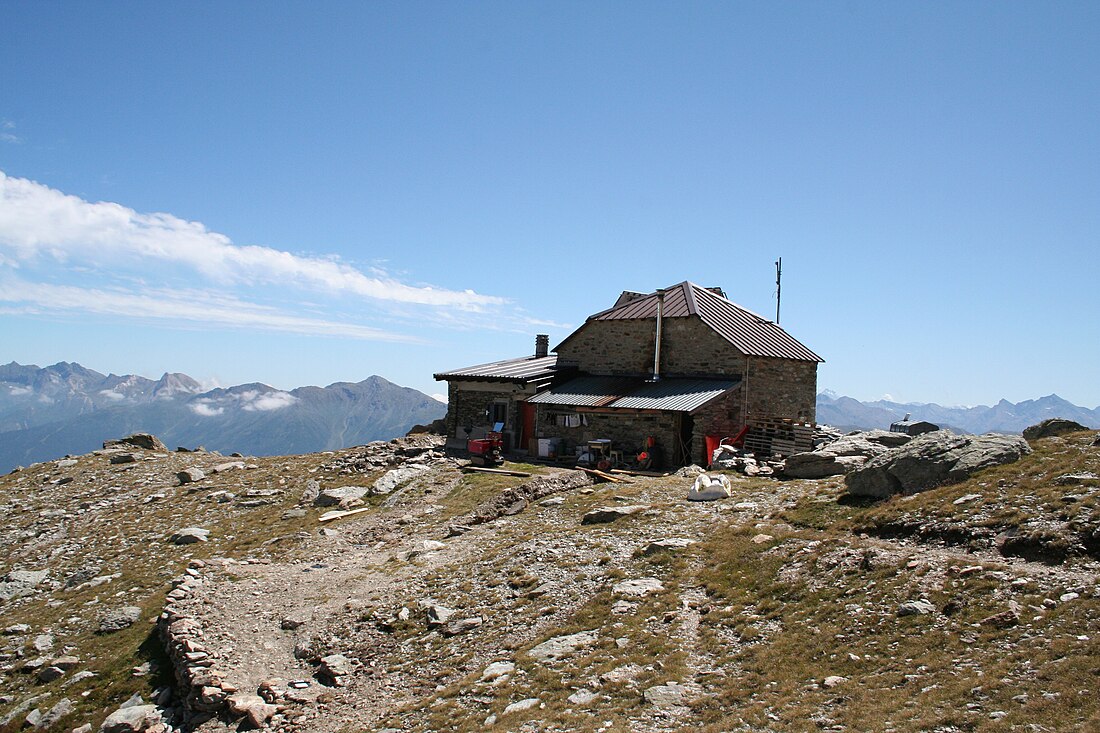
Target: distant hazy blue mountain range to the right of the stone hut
[848,413]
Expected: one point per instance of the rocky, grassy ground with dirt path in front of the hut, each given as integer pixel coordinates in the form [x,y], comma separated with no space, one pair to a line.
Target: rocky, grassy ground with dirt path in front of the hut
[458,601]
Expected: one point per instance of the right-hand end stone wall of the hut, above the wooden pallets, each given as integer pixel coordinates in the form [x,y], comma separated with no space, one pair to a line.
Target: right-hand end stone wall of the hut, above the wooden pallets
[780,388]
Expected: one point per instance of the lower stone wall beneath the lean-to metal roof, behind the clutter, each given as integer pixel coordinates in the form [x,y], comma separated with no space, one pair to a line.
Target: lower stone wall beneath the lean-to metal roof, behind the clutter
[626,431]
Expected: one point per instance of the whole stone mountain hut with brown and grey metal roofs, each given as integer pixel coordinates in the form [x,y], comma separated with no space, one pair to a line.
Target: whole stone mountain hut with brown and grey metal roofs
[666,369]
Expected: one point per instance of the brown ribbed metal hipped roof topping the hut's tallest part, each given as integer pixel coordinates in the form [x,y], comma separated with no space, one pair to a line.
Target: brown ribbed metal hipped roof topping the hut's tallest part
[752,334]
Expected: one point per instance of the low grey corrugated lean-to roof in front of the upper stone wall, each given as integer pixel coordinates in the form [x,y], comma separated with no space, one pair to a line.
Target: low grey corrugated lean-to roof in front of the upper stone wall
[679,396]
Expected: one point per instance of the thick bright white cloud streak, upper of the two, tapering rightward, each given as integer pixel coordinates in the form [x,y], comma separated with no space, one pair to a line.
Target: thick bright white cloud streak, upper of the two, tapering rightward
[39,223]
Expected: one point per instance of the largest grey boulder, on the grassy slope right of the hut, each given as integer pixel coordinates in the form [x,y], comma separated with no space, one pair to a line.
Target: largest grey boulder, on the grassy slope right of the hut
[932,461]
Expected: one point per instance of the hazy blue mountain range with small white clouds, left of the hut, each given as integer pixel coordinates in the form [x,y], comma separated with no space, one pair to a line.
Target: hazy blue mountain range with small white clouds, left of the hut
[68,409]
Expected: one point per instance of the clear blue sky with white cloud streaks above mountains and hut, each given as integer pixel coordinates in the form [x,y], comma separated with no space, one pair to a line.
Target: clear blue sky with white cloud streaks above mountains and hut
[309,193]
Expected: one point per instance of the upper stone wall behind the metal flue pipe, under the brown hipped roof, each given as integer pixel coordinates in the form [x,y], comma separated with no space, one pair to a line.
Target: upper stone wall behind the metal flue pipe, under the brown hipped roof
[689,348]
